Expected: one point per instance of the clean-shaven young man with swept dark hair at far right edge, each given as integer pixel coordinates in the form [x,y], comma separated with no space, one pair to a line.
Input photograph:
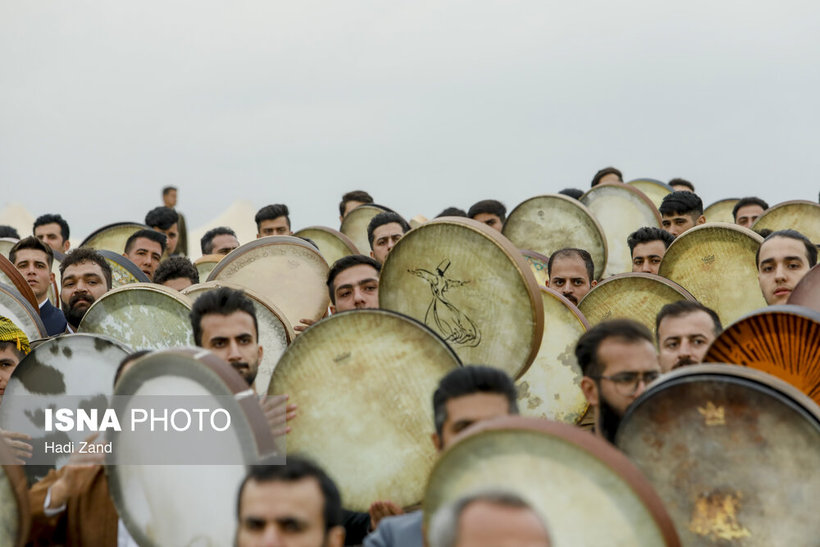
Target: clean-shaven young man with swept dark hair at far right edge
[783,258]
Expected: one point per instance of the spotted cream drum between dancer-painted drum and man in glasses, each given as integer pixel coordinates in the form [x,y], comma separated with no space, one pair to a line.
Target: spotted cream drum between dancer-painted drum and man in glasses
[551,387]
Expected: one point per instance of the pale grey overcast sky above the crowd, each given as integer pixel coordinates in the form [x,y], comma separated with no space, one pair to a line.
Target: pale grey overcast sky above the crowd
[424,104]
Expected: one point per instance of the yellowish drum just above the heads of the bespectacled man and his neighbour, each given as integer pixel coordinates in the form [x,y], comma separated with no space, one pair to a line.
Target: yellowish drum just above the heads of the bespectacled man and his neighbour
[638,296]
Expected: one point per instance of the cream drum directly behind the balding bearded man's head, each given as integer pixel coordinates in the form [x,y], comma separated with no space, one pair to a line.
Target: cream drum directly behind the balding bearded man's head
[546,224]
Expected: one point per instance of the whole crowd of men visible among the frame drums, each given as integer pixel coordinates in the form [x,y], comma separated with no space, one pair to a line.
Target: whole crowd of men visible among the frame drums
[298,503]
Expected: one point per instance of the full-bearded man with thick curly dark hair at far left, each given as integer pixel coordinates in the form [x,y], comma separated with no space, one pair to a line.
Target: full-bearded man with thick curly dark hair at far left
[86,276]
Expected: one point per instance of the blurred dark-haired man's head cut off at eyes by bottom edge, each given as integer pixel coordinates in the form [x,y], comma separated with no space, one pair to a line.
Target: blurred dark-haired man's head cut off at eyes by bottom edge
[291,504]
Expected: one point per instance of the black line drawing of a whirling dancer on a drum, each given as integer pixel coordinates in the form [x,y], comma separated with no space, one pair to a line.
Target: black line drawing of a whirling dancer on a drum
[442,316]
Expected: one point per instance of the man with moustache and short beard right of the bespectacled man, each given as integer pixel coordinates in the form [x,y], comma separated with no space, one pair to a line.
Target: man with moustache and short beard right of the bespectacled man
[684,331]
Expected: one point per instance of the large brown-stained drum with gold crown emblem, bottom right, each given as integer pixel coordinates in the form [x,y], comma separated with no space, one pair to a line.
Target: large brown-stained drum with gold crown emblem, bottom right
[728,450]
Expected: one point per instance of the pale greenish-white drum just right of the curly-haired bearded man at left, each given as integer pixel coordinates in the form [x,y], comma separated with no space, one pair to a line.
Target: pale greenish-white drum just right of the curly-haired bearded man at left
[142,316]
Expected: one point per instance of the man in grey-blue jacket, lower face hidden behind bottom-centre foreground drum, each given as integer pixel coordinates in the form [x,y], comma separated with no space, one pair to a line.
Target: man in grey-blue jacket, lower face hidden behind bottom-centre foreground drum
[466,395]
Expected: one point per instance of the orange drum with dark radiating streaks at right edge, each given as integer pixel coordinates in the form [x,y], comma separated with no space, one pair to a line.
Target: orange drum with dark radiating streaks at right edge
[779,340]
